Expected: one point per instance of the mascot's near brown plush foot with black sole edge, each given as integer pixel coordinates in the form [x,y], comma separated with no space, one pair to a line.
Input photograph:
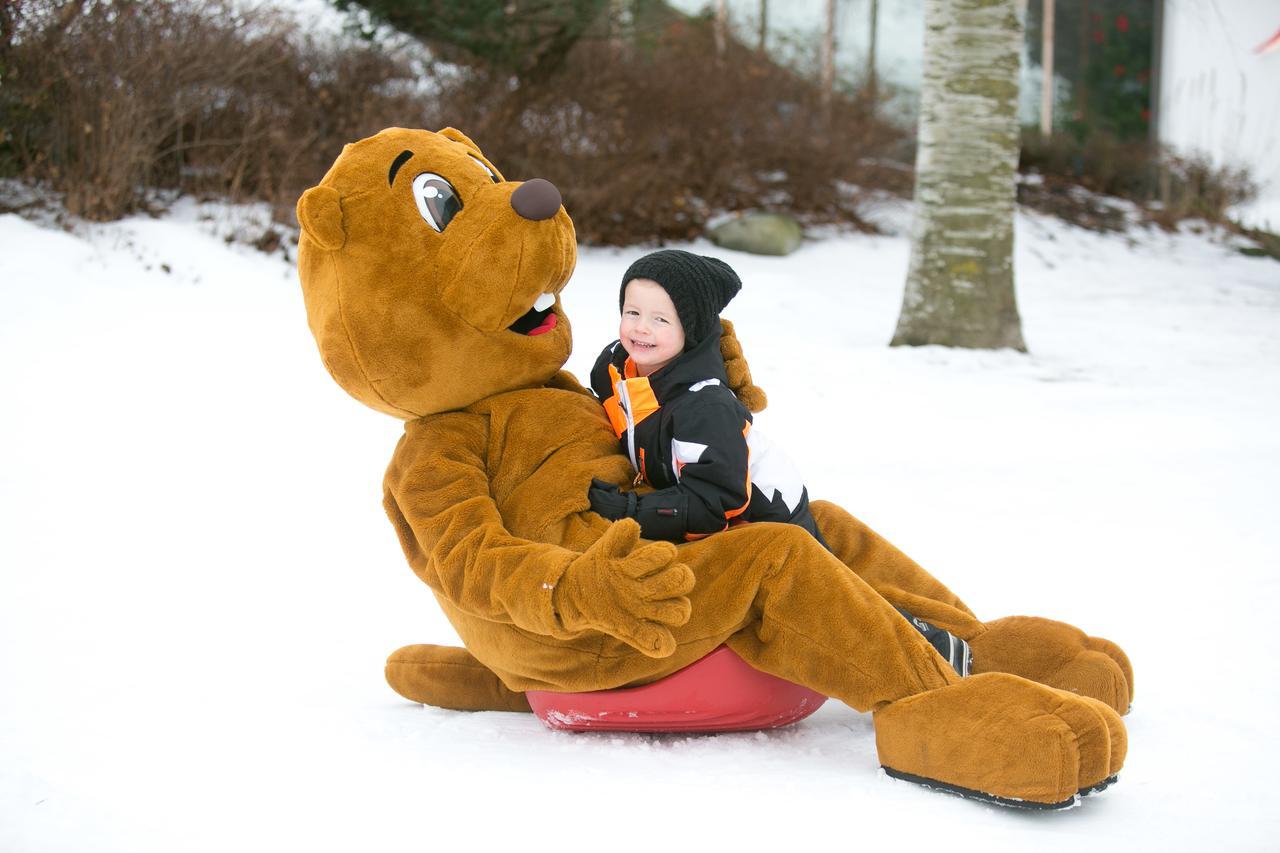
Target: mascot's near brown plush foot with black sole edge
[1003,740]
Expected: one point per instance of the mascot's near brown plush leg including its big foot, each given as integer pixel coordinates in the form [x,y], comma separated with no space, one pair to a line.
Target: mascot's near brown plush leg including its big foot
[819,624]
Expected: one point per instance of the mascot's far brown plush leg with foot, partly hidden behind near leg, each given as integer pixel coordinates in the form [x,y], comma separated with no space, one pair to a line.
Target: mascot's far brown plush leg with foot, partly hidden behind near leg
[1041,650]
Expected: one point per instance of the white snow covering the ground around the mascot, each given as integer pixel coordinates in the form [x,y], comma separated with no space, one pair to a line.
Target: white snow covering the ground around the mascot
[199,587]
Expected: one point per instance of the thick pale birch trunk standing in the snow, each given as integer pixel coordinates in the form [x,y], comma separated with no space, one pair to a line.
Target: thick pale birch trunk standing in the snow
[961,284]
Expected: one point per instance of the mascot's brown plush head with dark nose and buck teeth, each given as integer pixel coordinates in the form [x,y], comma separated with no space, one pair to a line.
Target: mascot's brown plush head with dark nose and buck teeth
[432,282]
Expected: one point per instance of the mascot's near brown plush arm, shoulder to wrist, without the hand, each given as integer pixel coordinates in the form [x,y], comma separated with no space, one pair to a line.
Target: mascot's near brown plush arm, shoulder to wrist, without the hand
[437,496]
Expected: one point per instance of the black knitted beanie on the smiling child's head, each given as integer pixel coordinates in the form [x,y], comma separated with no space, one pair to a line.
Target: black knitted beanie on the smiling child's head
[698,286]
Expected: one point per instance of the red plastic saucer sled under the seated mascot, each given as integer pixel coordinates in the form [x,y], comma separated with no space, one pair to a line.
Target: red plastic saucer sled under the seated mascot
[717,694]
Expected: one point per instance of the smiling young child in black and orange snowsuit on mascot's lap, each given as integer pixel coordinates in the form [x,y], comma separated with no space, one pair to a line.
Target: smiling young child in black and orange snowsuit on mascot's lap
[666,391]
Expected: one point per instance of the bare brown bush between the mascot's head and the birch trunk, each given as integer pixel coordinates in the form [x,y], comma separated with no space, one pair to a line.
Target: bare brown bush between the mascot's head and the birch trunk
[647,143]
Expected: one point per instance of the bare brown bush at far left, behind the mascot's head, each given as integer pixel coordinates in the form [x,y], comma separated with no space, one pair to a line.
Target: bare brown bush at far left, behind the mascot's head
[108,102]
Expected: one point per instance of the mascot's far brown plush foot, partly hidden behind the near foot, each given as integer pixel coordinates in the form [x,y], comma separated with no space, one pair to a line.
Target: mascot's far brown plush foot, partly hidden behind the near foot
[1058,655]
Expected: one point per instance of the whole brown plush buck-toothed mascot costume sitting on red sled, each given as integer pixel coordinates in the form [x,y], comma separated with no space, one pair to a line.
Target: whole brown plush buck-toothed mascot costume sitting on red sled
[433,290]
